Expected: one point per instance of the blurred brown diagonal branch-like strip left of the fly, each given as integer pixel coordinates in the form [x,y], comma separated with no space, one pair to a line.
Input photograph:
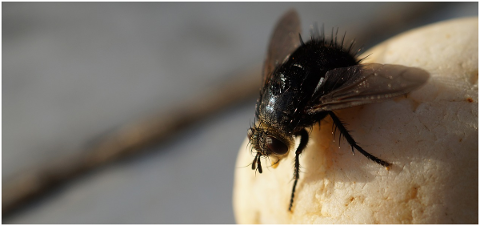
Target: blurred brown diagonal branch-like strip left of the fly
[128,140]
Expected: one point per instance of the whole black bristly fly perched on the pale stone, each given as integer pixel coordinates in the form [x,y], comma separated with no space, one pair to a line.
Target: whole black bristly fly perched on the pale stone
[304,82]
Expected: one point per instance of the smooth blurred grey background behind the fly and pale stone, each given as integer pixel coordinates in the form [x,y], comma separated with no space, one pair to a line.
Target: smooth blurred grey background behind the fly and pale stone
[72,72]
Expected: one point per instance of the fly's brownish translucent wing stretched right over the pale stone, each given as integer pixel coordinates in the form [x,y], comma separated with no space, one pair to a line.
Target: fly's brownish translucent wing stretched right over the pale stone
[363,84]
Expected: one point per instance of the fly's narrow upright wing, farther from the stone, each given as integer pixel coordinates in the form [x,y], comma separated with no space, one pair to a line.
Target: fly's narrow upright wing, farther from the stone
[285,39]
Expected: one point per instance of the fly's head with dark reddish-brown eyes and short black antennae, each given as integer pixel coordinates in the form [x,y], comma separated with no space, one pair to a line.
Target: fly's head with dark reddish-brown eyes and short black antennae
[269,142]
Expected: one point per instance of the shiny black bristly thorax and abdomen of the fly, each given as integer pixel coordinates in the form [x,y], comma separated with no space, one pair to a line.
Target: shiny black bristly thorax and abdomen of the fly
[283,101]
